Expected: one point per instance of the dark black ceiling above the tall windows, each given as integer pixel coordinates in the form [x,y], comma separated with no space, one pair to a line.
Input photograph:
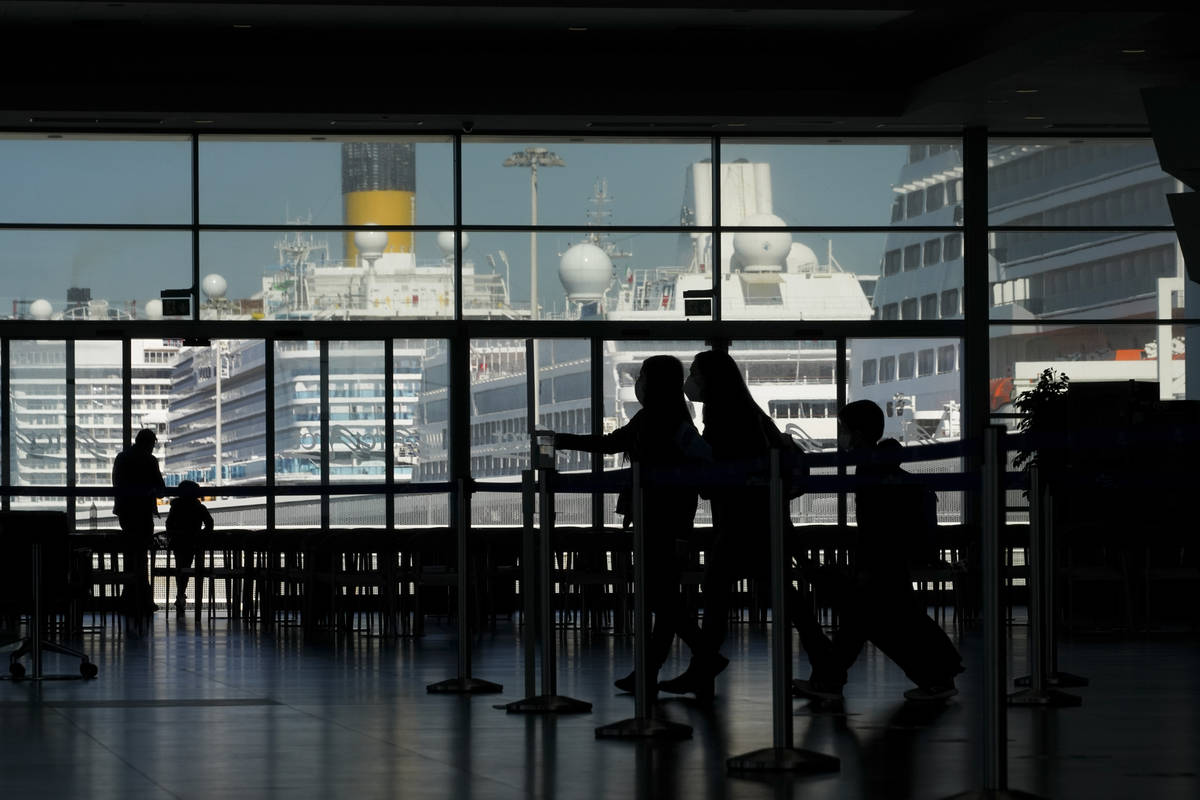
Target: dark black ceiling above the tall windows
[595,68]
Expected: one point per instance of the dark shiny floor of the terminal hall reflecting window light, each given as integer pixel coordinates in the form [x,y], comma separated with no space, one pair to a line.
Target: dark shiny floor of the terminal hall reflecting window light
[221,712]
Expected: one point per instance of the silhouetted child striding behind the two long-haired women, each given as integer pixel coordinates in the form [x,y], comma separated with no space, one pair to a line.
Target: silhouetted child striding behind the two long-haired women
[897,527]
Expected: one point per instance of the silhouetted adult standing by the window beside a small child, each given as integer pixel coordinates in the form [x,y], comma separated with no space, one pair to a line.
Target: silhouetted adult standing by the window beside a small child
[136,472]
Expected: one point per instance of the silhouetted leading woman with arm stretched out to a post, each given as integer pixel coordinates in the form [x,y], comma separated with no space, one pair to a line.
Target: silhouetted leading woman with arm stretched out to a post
[662,437]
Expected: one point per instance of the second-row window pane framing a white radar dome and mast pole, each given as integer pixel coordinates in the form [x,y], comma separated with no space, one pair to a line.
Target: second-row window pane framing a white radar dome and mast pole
[589,275]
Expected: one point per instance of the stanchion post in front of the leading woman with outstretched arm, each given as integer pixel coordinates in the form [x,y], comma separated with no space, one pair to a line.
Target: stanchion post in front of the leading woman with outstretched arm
[643,725]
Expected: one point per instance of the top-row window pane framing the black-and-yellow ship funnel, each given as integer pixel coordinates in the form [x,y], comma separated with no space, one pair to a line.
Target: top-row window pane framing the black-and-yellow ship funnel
[327,181]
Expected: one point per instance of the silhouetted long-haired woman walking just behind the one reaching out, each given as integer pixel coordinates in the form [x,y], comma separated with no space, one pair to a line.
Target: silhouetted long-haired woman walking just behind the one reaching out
[739,432]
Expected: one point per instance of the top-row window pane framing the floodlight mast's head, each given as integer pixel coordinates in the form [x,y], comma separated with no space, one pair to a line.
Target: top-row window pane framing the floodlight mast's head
[587,182]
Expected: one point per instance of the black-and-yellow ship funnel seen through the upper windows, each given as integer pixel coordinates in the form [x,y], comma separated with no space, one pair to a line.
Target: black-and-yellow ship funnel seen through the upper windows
[380,188]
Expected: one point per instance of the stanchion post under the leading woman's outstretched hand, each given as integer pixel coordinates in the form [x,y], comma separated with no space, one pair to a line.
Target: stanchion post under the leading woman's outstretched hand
[549,702]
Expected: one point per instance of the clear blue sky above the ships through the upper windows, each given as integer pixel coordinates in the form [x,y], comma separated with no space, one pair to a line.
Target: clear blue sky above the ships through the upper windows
[148,182]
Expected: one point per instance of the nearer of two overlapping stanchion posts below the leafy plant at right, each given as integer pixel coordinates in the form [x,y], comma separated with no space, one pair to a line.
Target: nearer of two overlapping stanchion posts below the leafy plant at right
[1040,693]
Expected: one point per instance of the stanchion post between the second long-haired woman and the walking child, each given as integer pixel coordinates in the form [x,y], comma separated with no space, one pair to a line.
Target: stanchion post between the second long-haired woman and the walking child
[782,756]
